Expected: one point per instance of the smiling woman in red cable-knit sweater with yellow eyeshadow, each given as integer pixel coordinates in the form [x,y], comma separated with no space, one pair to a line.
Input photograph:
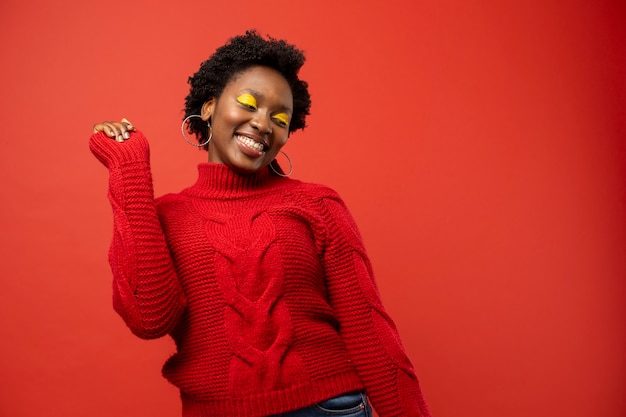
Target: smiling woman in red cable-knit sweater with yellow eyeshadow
[261,280]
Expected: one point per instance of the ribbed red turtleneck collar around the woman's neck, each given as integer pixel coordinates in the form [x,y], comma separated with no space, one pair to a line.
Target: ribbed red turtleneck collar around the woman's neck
[220,181]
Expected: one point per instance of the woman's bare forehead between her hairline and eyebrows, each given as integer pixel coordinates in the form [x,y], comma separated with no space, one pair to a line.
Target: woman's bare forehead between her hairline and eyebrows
[264,80]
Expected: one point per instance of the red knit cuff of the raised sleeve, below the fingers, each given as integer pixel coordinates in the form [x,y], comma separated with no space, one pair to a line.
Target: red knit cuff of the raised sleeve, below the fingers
[113,154]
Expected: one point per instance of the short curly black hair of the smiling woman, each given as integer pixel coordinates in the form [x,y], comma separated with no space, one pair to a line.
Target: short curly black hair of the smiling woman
[236,56]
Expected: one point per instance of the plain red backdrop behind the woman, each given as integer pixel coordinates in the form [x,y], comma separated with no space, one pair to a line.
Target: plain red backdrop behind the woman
[480,146]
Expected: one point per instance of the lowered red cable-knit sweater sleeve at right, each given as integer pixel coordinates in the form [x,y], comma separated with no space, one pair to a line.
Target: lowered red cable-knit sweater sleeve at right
[369,333]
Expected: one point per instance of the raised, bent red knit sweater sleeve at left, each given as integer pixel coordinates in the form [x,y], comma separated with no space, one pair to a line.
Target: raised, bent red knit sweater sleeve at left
[146,291]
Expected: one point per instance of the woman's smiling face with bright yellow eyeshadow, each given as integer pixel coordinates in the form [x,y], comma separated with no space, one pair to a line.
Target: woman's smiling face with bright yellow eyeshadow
[250,120]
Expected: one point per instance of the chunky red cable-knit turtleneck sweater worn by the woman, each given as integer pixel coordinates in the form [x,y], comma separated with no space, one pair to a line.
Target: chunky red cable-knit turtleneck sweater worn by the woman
[262,282]
